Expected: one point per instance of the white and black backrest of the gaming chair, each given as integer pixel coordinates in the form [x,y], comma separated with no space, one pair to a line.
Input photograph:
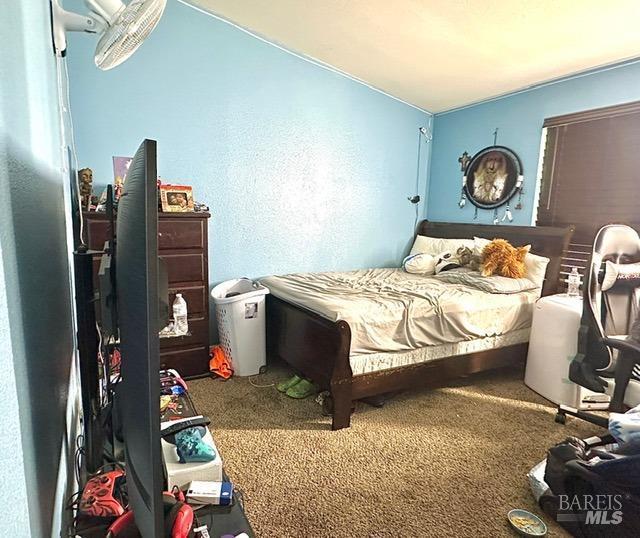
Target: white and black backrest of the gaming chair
[611,312]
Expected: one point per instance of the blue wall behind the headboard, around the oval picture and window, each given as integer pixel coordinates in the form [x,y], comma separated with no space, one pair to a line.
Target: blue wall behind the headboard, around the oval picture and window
[519,118]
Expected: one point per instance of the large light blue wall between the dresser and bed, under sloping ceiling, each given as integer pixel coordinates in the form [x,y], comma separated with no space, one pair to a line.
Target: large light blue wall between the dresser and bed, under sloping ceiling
[303,169]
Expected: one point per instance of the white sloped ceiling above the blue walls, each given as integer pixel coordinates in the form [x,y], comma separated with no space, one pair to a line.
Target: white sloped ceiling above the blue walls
[442,54]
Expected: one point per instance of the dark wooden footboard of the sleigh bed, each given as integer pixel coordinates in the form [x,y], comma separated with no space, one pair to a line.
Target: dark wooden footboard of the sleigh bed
[315,347]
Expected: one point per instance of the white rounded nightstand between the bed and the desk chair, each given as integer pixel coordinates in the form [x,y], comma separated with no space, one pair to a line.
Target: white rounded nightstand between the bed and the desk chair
[552,346]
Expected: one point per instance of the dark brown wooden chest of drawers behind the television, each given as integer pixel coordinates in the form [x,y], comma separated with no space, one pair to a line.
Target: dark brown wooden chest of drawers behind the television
[182,243]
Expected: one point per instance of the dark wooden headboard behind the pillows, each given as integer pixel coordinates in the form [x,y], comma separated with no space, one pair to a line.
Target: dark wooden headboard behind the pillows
[549,241]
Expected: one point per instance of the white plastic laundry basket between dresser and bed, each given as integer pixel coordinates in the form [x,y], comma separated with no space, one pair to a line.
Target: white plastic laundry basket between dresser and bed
[240,311]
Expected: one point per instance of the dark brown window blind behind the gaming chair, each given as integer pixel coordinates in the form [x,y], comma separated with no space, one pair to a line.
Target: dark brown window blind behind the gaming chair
[591,175]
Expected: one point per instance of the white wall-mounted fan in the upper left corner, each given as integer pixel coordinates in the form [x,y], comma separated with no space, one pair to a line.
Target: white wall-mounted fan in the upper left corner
[123,28]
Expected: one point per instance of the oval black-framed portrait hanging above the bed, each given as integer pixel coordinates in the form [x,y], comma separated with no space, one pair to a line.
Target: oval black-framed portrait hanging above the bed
[492,177]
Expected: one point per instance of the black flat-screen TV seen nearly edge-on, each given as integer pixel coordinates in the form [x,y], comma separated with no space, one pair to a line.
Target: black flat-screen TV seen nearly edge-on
[137,281]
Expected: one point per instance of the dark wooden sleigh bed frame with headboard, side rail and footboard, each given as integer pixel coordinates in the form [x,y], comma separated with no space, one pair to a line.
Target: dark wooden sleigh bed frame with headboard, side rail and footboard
[319,348]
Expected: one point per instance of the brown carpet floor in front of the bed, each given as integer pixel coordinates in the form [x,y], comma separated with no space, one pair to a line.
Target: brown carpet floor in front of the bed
[449,462]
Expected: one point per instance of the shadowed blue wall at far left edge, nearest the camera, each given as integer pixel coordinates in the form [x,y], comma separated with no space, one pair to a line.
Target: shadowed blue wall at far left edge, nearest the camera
[35,321]
